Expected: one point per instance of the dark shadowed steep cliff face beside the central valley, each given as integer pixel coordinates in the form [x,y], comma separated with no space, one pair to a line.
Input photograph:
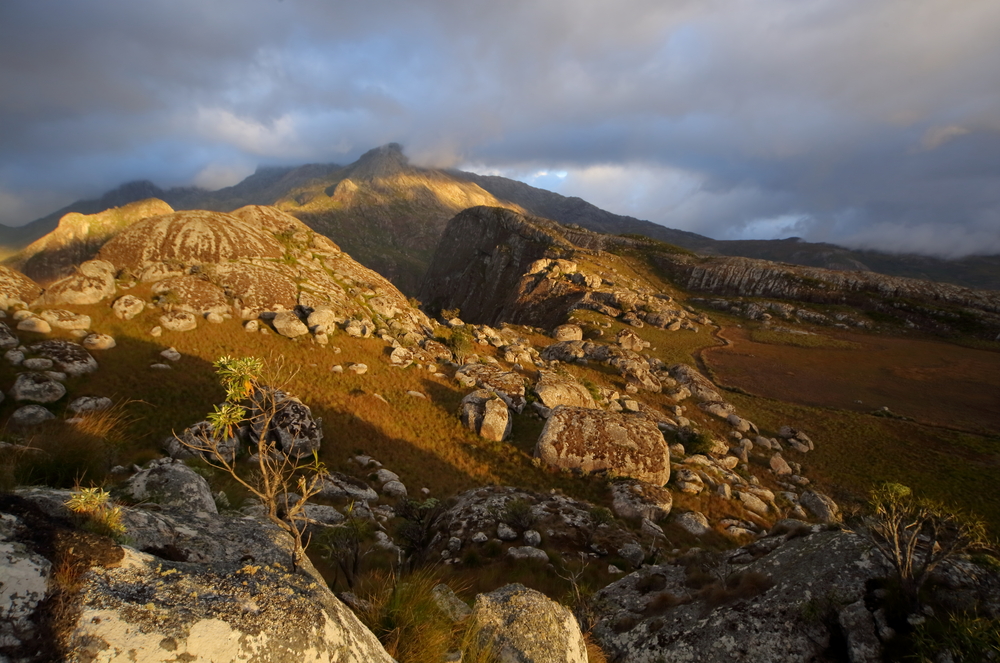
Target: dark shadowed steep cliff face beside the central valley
[479,262]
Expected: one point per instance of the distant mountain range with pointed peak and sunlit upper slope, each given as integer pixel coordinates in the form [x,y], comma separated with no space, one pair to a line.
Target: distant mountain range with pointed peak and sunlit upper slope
[389,214]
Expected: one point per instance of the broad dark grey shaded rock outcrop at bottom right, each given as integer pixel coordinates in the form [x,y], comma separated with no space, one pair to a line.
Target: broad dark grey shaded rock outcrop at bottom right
[770,616]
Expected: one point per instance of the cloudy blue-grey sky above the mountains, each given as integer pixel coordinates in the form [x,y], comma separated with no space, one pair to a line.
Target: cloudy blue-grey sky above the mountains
[867,123]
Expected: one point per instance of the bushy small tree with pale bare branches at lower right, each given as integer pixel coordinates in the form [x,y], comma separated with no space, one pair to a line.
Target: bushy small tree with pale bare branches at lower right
[917,535]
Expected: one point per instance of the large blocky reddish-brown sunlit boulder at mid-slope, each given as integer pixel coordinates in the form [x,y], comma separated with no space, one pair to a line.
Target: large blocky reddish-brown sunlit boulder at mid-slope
[593,440]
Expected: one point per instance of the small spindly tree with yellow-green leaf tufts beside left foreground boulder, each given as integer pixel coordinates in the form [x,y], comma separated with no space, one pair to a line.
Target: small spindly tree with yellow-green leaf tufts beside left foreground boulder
[281,480]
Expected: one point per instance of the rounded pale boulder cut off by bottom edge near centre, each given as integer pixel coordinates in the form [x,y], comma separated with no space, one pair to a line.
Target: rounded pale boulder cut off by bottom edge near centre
[524,625]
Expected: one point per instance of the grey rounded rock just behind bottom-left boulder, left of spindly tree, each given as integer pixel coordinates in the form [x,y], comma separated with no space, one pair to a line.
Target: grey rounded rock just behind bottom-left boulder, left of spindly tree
[171,484]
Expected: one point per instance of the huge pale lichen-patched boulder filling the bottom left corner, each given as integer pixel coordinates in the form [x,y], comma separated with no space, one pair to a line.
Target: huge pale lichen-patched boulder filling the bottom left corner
[205,588]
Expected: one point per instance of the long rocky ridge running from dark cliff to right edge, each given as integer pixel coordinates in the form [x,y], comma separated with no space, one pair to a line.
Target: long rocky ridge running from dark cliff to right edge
[486,267]
